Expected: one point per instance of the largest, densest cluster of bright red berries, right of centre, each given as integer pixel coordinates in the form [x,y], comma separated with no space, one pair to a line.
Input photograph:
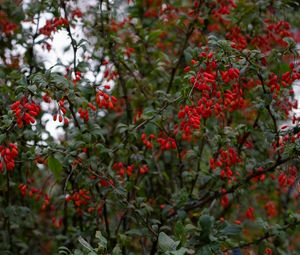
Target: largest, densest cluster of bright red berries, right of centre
[211,99]
